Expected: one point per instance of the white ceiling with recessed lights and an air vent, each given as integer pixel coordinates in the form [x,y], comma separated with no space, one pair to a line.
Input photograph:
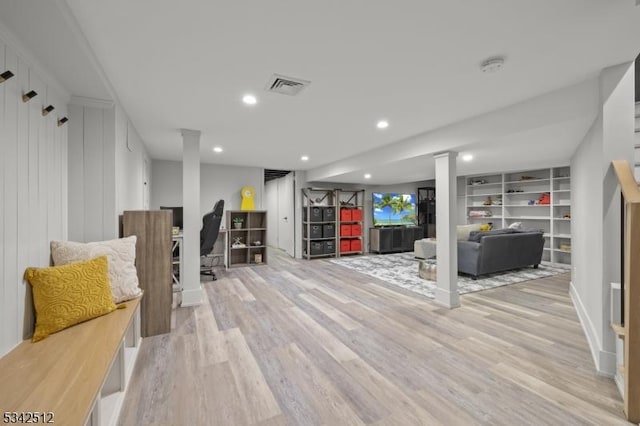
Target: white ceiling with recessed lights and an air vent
[187,64]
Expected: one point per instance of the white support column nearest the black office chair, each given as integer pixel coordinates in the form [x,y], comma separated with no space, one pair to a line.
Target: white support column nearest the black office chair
[191,288]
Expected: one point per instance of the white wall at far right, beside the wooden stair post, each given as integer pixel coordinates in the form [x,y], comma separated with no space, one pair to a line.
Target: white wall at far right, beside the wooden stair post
[596,211]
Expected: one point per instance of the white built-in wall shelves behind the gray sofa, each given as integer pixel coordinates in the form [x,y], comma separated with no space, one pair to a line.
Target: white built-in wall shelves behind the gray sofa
[512,197]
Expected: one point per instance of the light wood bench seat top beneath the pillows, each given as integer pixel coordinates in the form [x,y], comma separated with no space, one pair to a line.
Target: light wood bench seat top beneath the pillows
[64,373]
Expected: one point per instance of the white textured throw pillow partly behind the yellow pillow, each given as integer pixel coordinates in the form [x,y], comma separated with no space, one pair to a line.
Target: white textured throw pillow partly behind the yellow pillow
[121,254]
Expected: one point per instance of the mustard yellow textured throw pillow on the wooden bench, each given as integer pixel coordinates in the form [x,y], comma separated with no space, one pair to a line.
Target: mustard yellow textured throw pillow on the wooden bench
[67,295]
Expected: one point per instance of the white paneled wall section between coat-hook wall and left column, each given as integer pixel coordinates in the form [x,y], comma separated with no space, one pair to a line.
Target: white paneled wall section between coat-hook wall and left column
[106,158]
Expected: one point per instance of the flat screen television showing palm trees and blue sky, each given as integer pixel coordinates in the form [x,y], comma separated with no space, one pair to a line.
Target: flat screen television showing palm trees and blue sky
[394,209]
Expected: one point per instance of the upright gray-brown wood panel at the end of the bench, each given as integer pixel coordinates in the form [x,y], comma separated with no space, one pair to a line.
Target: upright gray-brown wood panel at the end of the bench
[153,262]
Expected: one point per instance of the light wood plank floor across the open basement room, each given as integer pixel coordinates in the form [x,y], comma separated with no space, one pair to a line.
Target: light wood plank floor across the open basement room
[313,343]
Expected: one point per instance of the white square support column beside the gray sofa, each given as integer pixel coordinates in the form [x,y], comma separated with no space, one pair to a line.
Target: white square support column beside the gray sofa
[447,248]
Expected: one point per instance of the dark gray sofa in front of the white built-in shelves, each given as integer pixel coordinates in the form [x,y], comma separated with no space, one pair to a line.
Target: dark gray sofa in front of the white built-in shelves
[486,252]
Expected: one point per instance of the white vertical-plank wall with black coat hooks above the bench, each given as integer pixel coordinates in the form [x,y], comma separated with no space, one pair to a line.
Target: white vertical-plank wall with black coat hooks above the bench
[33,188]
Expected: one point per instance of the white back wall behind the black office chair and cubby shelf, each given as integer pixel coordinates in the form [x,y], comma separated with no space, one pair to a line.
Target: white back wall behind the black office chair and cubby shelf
[216,182]
